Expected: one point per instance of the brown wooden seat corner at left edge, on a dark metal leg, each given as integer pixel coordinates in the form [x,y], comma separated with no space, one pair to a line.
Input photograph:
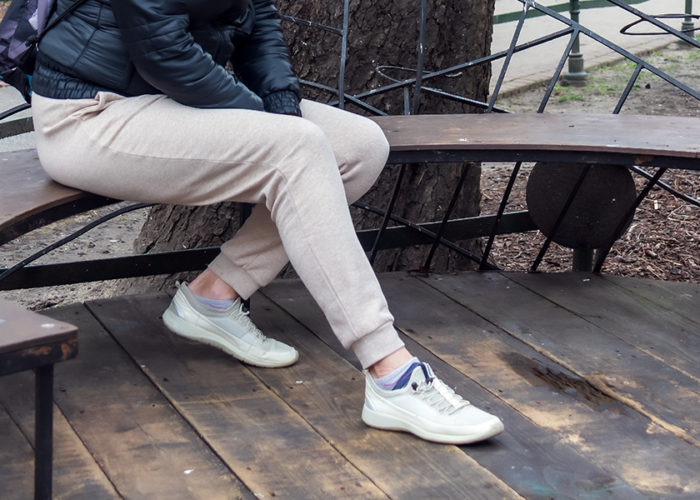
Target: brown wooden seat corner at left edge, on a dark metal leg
[23,329]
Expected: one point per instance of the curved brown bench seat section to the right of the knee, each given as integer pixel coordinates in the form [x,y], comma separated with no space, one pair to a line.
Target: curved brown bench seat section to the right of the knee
[662,141]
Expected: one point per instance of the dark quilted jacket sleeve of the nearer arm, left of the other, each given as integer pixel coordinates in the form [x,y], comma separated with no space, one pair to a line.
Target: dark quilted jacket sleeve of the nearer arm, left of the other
[167,56]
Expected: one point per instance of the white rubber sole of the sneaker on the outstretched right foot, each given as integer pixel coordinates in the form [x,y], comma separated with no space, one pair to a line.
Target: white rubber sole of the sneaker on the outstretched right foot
[392,423]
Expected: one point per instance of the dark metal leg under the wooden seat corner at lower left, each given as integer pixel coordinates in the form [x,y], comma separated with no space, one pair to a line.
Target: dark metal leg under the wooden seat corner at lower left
[43,432]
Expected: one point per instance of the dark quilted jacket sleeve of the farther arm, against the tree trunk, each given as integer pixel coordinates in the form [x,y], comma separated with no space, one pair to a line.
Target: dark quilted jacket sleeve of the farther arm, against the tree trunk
[262,61]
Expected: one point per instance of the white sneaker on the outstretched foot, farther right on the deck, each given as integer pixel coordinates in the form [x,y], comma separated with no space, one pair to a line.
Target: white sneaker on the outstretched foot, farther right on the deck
[427,408]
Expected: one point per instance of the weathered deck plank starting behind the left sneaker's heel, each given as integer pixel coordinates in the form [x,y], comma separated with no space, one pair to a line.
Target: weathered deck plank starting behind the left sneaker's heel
[274,451]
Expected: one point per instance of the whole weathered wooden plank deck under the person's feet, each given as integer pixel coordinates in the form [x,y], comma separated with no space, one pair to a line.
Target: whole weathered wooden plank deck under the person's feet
[596,378]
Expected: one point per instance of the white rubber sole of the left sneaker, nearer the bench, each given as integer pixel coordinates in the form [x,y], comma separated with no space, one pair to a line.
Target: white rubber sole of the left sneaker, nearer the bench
[186,329]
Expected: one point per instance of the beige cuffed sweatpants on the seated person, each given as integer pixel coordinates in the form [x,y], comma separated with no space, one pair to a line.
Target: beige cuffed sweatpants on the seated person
[300,172]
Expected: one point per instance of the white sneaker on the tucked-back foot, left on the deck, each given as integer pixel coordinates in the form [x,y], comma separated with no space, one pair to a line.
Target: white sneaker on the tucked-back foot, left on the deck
[230,330]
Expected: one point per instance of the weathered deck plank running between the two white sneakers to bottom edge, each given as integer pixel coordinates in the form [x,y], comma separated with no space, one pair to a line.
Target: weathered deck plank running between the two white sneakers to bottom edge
[328,392]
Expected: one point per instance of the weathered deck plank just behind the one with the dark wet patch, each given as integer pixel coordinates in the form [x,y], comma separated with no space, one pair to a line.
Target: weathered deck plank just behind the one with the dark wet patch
[616,368]
